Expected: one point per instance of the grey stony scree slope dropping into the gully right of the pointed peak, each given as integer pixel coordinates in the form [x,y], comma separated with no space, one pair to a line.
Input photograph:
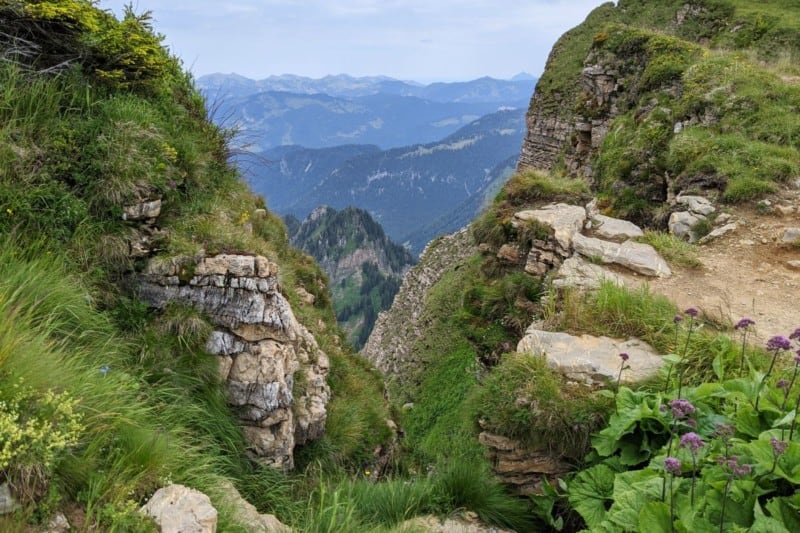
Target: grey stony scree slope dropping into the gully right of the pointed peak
[396,331]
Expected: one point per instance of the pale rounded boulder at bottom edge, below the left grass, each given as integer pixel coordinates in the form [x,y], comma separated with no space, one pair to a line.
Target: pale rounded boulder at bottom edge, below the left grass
[179,509]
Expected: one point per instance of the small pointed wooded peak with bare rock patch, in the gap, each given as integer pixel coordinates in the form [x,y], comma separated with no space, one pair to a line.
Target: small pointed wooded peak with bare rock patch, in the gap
[364,267]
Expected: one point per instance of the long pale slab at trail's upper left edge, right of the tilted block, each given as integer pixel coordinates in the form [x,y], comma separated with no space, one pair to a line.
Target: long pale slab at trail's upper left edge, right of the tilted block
[639,257]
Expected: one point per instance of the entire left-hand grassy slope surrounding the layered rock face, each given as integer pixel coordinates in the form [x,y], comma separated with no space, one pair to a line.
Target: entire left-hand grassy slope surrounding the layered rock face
[79,142]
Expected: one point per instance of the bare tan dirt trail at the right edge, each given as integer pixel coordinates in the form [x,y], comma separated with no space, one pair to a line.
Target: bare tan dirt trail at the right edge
[744,273]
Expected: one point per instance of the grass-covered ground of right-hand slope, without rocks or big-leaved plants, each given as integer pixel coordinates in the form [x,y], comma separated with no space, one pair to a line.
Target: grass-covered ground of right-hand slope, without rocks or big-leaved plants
[739,77]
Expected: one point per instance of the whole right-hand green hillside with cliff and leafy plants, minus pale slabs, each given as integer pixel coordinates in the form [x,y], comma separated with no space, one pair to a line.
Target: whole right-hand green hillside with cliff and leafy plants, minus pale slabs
[700,98]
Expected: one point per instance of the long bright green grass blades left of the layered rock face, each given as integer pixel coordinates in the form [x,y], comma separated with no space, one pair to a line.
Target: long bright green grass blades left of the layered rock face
[142,429]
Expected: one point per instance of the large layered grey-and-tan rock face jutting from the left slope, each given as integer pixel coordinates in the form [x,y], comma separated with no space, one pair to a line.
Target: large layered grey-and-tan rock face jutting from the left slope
[263,351]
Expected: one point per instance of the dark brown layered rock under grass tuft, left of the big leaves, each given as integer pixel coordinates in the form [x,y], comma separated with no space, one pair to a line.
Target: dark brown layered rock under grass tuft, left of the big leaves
[518,466]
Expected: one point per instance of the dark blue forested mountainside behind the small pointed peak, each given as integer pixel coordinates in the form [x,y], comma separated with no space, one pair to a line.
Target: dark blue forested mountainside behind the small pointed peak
[405,189]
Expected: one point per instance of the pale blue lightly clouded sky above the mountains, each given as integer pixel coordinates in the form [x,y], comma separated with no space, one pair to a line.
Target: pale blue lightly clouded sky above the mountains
[421,40]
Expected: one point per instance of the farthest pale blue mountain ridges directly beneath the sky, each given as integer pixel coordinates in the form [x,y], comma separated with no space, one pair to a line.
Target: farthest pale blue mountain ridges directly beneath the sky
[336,110]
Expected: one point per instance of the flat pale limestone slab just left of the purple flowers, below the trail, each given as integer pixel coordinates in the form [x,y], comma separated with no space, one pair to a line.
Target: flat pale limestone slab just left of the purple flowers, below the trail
[592,359]
